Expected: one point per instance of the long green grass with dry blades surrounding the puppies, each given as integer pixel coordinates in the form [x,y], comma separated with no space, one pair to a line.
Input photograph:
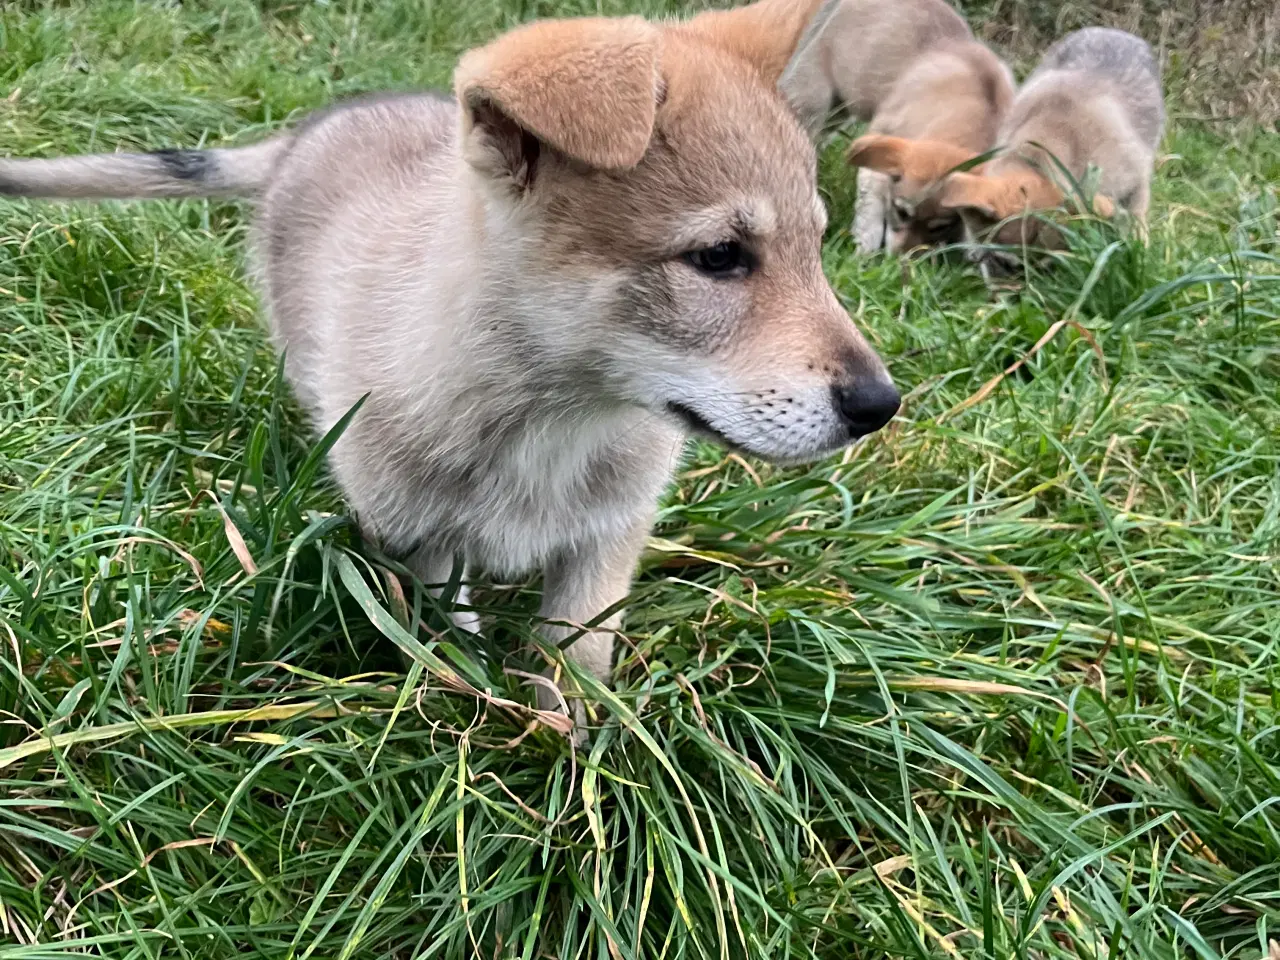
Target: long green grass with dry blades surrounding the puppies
[1003,683]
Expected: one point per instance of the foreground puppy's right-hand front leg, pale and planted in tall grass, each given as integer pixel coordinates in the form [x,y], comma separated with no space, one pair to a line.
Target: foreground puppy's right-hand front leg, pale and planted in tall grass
[579,584]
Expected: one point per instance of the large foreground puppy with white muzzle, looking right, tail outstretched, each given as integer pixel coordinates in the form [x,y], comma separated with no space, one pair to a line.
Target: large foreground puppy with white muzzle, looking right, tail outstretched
[609,241]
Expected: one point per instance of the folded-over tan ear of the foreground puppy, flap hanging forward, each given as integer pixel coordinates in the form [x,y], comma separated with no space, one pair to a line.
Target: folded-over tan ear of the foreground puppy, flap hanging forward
[588,88]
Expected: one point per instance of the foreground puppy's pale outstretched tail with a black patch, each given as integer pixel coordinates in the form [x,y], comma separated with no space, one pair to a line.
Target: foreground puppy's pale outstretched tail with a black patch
[240,172]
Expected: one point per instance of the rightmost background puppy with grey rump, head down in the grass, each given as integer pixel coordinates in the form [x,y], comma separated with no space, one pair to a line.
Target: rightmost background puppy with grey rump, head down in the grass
[1095,103]
